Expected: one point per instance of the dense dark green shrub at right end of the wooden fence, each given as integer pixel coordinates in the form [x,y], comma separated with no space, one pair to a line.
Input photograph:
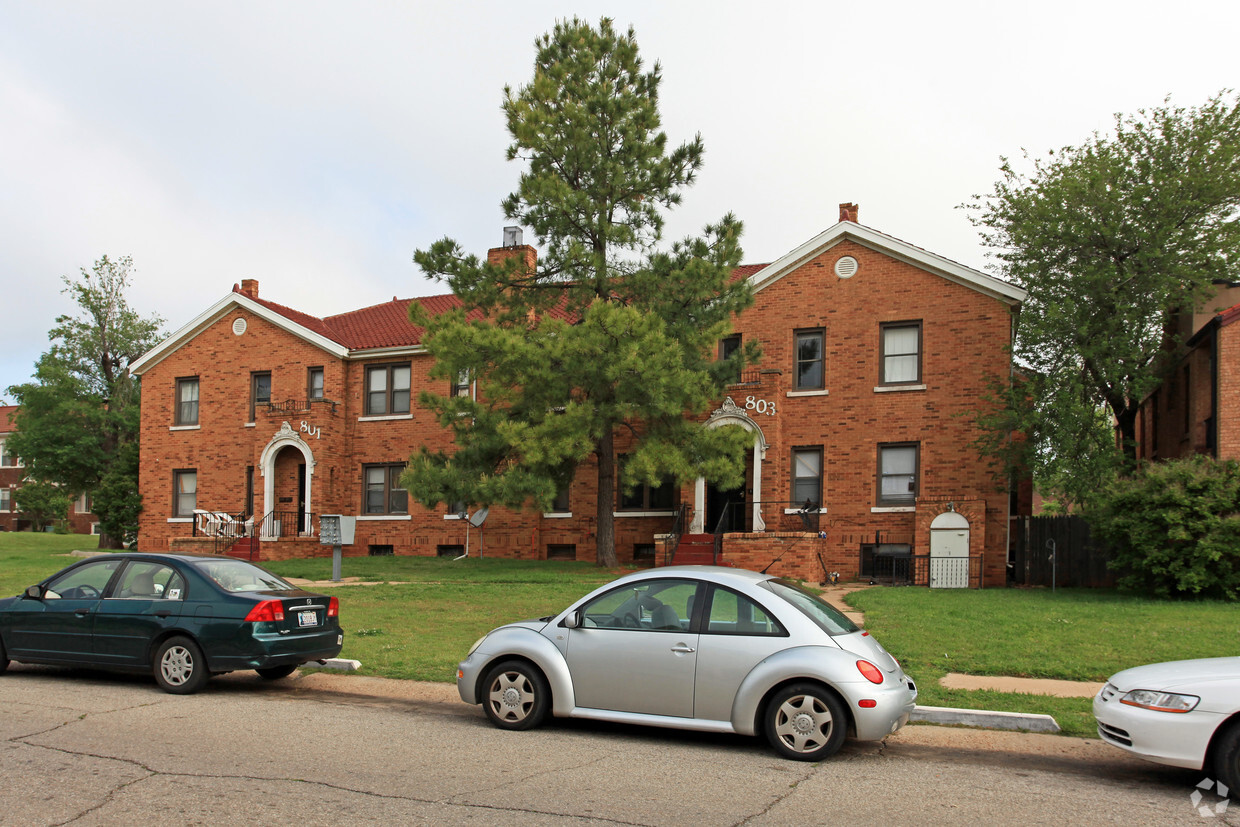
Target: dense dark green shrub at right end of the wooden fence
[1175,529]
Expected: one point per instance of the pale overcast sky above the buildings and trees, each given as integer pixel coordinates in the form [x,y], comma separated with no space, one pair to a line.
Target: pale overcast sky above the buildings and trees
[316,146]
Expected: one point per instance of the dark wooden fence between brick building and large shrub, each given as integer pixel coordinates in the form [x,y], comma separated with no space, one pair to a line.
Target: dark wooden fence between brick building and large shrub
[1058,550]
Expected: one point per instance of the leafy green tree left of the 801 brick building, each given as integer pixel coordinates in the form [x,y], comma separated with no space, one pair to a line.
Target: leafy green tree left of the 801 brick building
[77,422]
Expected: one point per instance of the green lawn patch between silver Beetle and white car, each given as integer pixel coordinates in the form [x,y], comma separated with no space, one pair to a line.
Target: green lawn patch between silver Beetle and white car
[1071,634]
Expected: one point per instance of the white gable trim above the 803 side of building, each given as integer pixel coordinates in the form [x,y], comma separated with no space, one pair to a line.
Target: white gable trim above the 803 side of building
[896,249]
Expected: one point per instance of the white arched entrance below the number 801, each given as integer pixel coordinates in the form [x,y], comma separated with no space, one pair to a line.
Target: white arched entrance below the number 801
[287,467]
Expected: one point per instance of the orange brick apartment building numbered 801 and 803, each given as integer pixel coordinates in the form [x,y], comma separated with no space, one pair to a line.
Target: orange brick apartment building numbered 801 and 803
[875,358]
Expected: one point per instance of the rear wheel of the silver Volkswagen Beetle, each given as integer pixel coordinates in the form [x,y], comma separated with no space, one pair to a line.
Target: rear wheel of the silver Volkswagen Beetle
[807,722]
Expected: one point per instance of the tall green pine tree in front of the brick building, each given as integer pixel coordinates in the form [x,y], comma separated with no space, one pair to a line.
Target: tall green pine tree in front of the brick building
[609,333]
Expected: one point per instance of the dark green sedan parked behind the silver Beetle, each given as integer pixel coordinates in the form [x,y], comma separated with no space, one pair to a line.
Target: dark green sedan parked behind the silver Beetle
[182,617]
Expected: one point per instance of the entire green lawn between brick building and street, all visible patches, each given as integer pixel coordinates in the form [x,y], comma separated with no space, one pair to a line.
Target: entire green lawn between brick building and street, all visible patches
[423,618]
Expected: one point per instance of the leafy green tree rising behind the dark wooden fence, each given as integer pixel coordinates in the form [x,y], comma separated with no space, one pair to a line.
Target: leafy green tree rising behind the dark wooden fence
[1110,239]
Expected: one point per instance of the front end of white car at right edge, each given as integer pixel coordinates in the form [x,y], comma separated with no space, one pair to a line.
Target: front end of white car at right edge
[1184,714]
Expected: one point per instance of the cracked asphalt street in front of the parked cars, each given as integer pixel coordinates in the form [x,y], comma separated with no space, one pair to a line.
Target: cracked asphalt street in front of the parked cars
[81,748]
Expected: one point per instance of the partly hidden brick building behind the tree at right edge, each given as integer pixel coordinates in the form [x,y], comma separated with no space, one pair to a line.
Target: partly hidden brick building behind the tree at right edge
[1196,410]
